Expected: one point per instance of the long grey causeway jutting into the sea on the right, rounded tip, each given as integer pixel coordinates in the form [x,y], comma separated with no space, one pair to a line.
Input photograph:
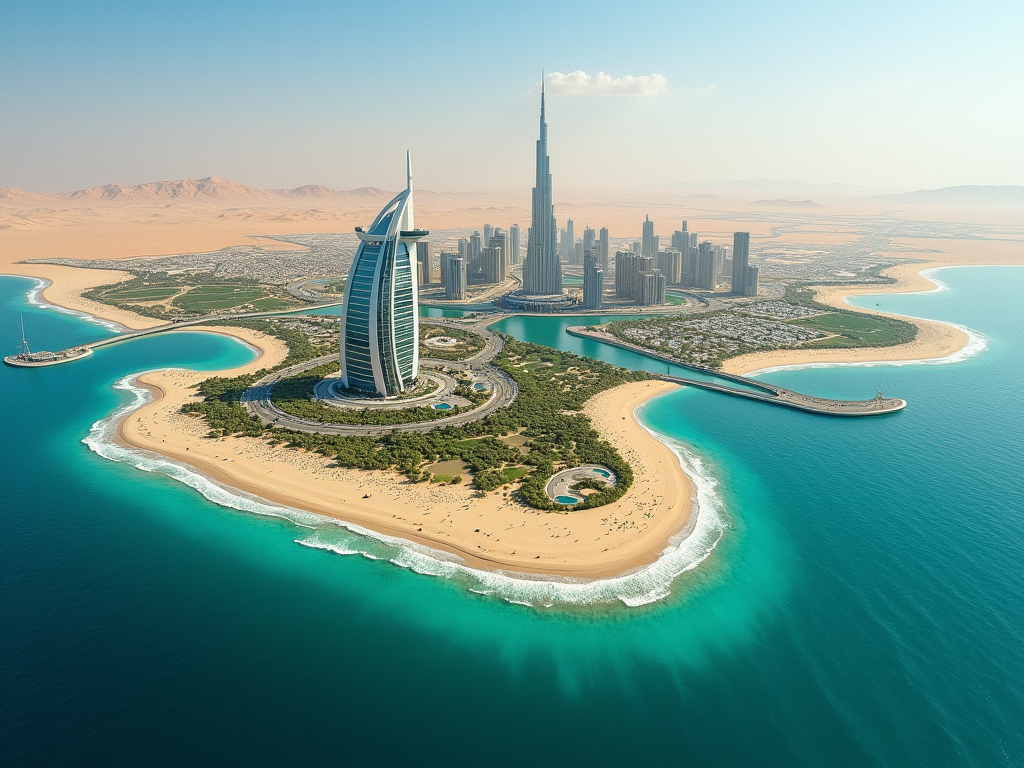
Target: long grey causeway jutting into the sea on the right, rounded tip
[755,391]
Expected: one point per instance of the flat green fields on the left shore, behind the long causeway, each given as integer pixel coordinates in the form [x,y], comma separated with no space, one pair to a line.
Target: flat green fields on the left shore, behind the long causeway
[187,295]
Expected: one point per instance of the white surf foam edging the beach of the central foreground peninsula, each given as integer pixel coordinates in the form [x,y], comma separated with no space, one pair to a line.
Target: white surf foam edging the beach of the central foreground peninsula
[638,587]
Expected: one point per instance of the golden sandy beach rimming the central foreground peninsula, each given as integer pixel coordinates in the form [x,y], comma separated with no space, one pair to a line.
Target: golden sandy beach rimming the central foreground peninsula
[490,533]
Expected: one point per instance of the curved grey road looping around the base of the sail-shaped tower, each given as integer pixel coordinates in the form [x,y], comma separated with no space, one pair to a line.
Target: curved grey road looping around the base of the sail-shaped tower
[257,400]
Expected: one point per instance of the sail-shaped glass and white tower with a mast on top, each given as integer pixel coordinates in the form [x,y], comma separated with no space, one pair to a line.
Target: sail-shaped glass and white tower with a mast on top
[380,326]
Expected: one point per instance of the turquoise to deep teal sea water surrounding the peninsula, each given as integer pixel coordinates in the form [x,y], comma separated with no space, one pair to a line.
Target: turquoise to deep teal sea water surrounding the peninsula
[864,607]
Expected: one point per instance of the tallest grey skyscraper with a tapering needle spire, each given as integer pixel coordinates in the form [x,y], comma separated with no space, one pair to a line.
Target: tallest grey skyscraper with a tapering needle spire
[542,274]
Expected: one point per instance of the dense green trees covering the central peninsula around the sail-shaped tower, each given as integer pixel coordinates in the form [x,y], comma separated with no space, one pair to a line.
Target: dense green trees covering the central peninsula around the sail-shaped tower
[553,389]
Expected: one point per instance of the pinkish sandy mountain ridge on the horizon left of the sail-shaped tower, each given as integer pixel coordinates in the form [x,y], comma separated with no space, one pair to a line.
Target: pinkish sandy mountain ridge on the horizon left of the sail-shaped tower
[211,188]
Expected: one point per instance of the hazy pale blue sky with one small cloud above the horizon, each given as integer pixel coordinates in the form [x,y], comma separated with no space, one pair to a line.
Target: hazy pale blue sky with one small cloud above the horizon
[888,95]
